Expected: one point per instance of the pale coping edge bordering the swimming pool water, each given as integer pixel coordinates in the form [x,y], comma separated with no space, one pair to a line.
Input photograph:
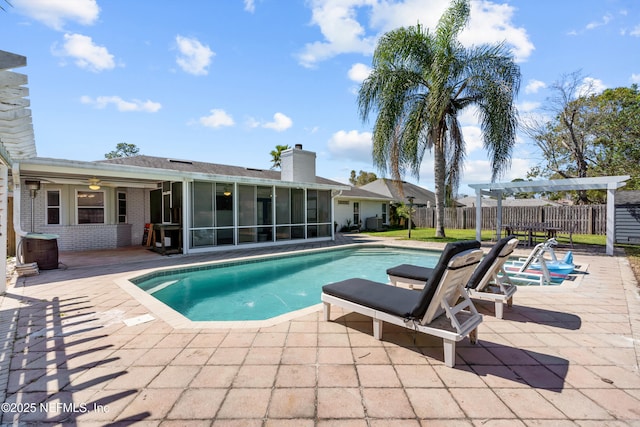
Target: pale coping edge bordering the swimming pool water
[178,321]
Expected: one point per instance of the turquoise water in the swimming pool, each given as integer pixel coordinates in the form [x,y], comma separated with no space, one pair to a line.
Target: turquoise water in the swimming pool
[270,287]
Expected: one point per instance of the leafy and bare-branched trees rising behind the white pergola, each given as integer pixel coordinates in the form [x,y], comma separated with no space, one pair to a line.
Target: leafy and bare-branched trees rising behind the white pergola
[588,133]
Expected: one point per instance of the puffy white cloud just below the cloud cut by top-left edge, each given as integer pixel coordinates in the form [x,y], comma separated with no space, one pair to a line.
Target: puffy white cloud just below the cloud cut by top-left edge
[85,53]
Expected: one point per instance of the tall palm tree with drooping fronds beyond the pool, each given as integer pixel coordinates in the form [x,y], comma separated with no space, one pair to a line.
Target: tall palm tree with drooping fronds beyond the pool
[420,81]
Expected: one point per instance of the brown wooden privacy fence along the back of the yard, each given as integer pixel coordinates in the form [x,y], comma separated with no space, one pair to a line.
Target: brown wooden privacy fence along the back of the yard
[581,219]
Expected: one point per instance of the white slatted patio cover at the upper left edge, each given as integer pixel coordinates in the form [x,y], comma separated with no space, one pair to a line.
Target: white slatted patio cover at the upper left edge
[16,129]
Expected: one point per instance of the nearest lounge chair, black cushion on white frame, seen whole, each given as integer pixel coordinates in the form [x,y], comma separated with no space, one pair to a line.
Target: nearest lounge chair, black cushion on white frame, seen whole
[421,311]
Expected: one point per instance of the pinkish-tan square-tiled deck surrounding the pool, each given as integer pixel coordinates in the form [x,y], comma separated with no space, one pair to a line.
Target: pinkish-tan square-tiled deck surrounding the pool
[563,356]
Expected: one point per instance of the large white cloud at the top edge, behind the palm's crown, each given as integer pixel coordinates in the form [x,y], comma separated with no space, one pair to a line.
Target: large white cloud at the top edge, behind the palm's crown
[344,33]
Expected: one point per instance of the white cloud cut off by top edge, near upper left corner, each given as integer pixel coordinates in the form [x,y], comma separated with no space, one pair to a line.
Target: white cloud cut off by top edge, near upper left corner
[54,13]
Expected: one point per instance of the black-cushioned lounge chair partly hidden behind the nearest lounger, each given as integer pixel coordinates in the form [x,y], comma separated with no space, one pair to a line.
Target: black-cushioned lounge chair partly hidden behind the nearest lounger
[488,282]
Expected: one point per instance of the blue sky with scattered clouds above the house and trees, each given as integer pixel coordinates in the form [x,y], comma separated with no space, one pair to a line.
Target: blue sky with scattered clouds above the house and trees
[226,81]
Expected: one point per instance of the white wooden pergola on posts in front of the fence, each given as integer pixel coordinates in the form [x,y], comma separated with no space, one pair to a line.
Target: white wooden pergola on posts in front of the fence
[499,189]
